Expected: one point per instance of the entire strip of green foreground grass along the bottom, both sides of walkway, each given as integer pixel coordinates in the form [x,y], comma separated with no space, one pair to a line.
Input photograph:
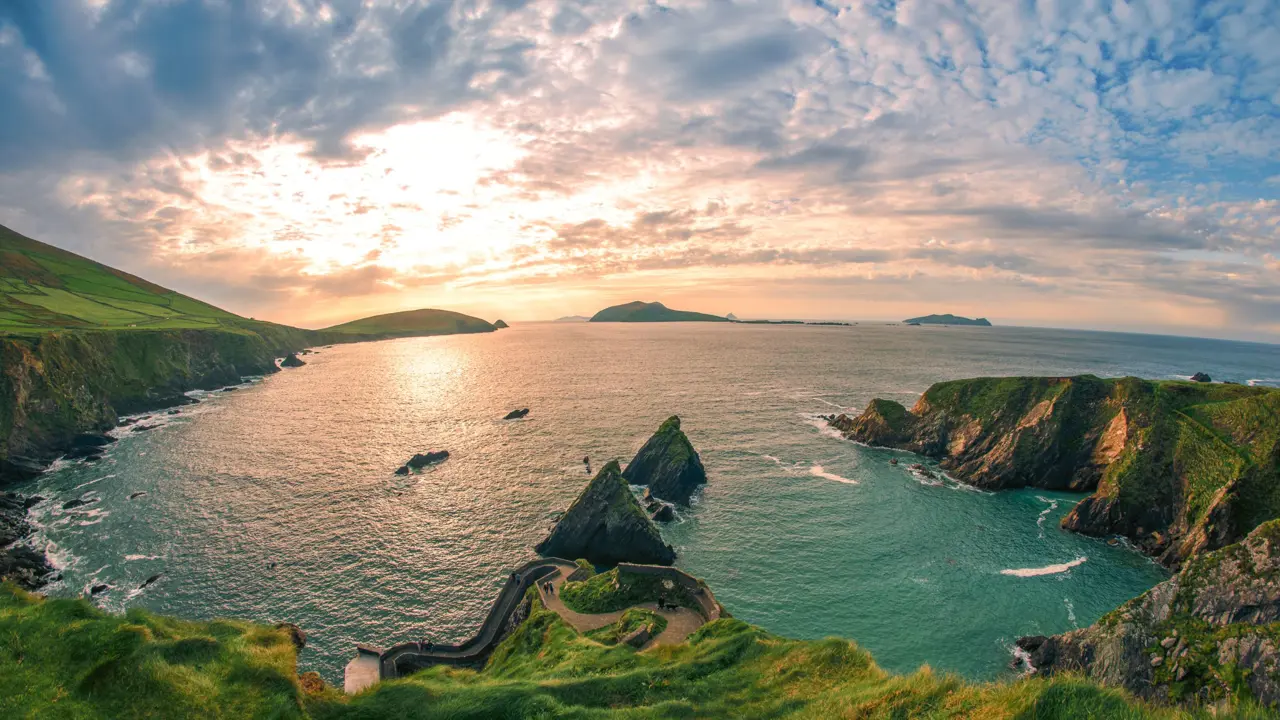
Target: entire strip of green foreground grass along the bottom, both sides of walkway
[66,659]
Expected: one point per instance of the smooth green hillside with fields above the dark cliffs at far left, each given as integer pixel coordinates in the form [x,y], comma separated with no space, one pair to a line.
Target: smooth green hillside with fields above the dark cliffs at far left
[44,289]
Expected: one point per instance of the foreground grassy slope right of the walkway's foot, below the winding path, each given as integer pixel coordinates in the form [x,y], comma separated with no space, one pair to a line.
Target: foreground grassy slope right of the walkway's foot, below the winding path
[729,669]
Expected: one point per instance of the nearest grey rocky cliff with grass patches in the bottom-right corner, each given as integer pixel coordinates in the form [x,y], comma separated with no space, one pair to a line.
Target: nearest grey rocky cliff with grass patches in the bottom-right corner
[1212,632]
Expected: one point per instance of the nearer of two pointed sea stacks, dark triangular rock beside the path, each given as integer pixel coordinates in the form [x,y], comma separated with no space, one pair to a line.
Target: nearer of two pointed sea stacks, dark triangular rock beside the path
[607,526]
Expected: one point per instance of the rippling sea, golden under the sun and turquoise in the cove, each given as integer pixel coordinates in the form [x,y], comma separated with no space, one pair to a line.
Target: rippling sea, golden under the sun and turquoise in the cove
[278,503]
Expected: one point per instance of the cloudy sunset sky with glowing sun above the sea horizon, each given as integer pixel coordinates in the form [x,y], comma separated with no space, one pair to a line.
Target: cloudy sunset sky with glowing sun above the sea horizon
[1068,163]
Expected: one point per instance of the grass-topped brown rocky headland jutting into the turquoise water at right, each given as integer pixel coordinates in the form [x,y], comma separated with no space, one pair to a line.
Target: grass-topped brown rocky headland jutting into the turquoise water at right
[1180,468]
